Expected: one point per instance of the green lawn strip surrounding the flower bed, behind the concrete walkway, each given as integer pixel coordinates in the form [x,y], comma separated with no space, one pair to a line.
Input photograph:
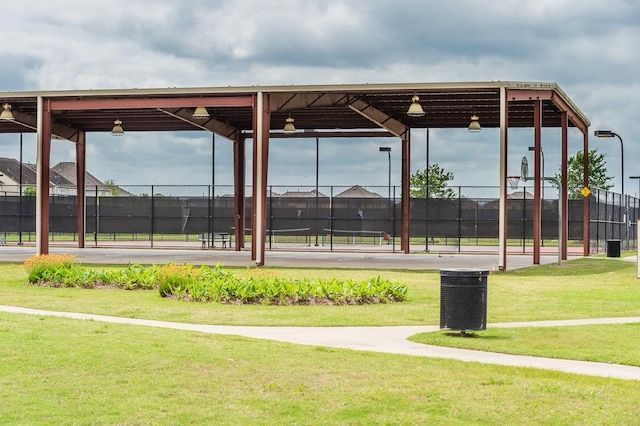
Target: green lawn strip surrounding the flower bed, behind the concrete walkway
[585,288]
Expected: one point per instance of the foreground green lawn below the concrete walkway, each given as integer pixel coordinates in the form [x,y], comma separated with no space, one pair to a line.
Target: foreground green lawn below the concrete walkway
[62,371]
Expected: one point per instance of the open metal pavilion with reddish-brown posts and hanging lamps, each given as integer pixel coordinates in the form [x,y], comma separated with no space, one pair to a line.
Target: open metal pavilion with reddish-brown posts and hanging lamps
[259,113]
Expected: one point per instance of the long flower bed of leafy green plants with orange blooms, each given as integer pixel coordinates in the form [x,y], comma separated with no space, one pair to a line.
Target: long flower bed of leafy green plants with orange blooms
[217,284]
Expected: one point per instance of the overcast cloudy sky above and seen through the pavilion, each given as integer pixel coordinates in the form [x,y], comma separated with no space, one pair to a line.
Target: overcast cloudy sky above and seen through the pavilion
[589,47]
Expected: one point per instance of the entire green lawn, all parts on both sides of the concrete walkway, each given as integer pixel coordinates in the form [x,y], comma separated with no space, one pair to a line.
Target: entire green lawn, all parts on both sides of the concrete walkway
[63,371]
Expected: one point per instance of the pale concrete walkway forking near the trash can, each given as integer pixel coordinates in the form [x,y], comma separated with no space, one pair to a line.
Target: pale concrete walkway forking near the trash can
[384,339]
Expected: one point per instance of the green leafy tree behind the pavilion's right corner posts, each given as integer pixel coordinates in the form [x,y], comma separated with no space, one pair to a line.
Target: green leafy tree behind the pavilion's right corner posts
[575,172]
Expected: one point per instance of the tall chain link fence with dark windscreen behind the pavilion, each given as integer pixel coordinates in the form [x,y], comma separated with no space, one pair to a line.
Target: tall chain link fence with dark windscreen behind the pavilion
[334,217]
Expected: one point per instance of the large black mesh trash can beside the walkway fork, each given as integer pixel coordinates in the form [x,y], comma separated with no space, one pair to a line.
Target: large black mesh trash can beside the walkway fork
[463,299]
